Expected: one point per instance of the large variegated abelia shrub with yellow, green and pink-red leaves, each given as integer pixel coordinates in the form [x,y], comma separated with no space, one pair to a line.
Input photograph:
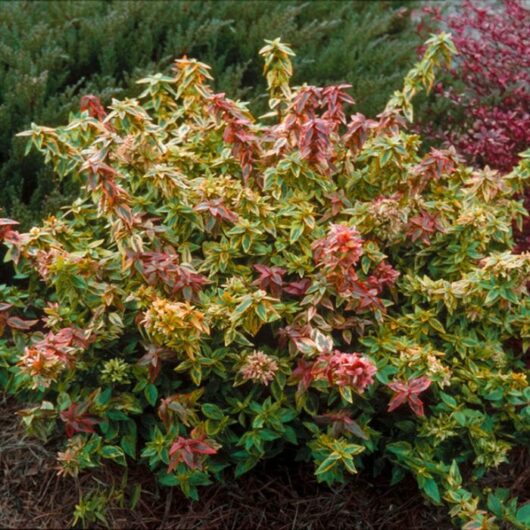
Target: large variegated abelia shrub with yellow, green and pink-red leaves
[227,287]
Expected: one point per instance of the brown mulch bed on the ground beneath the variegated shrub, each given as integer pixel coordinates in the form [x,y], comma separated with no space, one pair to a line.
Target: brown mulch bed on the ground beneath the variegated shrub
[280,495]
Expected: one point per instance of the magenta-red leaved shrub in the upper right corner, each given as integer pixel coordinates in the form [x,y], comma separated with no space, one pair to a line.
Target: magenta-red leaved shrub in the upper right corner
[483,109]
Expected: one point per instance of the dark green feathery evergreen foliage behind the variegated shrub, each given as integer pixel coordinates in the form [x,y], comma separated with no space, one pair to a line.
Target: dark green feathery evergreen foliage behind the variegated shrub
[52,53]
